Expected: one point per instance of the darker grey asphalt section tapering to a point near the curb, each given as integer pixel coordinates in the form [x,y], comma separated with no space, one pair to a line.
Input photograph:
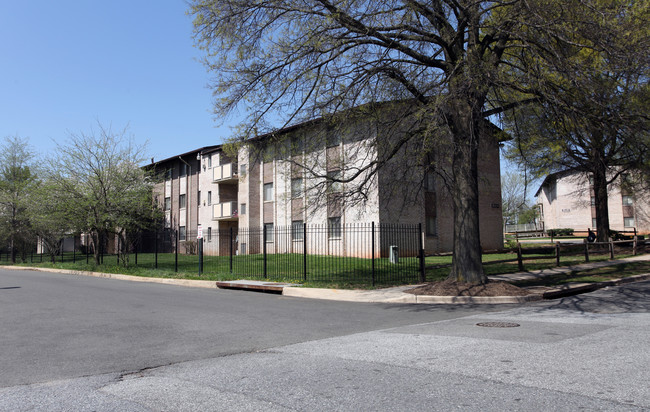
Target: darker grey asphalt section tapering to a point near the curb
[57,326]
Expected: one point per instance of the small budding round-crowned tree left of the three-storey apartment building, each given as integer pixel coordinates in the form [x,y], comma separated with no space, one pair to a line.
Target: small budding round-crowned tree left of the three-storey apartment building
[100,187]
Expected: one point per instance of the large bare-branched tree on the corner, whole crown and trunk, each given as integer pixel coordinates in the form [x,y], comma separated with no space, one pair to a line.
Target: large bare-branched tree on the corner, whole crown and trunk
[289,61]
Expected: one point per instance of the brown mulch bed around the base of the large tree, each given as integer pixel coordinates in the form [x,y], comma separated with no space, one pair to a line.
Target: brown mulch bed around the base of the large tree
[451,287]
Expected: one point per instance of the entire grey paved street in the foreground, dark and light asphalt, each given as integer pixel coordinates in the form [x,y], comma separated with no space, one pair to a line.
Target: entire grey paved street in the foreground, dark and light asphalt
[78,343]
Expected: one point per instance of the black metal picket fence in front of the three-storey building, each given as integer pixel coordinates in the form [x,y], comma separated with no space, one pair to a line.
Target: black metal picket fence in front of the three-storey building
[358,253]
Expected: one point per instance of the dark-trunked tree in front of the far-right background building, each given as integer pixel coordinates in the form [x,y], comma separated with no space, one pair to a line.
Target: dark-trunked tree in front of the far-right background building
[592,115]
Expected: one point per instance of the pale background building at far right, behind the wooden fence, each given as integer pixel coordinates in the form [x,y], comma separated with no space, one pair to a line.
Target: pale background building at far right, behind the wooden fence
[566,200]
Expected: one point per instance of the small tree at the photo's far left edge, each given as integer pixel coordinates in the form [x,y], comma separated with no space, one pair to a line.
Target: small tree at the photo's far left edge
[17,181]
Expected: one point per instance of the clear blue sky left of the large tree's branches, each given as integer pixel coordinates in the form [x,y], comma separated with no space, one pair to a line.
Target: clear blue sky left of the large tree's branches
[67,64]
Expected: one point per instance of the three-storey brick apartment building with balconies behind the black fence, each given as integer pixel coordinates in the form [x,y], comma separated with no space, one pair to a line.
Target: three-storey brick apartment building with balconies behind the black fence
[317,173]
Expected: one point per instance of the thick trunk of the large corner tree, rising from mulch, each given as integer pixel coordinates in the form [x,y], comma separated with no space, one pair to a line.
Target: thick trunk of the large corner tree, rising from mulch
[466,261]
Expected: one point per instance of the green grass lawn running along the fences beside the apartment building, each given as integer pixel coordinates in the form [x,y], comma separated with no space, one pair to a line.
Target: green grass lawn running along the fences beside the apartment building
[322,271]
